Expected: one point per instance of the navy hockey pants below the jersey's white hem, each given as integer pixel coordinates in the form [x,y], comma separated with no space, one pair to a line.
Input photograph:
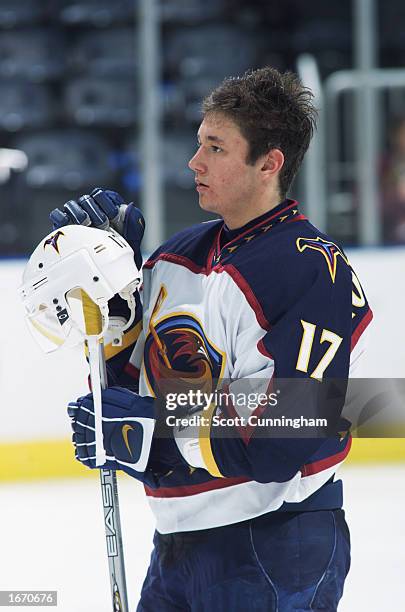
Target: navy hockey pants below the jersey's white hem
[279,562]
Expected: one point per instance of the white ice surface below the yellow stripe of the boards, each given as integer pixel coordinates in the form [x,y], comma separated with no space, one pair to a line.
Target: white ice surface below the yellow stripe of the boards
[52,537]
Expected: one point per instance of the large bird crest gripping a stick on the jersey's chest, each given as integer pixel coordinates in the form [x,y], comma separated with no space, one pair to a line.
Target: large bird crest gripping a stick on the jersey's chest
[178,356]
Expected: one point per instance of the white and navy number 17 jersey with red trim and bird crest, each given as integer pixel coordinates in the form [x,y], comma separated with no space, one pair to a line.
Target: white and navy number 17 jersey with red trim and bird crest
[276,299]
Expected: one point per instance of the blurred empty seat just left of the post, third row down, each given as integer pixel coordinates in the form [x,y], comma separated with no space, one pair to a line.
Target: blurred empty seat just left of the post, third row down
[98,102]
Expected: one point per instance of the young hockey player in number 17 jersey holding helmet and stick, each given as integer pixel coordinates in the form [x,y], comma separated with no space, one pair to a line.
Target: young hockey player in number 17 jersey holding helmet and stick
[246,520]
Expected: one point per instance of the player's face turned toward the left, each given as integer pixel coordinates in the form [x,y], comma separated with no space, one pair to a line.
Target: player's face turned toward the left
[226,184]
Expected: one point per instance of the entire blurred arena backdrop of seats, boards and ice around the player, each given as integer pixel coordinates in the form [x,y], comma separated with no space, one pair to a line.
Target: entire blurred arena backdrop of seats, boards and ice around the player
[102,93]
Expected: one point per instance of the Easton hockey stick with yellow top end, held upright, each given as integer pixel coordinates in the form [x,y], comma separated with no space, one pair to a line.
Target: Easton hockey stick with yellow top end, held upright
[108,478]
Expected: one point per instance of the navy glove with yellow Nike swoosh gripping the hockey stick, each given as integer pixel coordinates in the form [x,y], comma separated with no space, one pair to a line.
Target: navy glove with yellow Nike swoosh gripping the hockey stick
[128,423]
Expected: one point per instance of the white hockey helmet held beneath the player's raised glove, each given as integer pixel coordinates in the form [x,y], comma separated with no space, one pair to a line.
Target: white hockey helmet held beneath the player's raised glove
[69,260]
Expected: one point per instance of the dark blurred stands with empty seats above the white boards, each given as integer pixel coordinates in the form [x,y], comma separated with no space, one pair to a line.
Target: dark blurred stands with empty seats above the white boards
[95,92]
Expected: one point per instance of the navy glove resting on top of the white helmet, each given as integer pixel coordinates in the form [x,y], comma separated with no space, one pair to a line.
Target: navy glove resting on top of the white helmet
[104,208]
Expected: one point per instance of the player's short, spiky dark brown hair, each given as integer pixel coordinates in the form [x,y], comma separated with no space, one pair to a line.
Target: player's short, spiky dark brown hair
[273,110]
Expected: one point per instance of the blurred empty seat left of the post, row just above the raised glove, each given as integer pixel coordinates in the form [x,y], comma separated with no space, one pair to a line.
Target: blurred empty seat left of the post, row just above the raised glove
[65,159]
